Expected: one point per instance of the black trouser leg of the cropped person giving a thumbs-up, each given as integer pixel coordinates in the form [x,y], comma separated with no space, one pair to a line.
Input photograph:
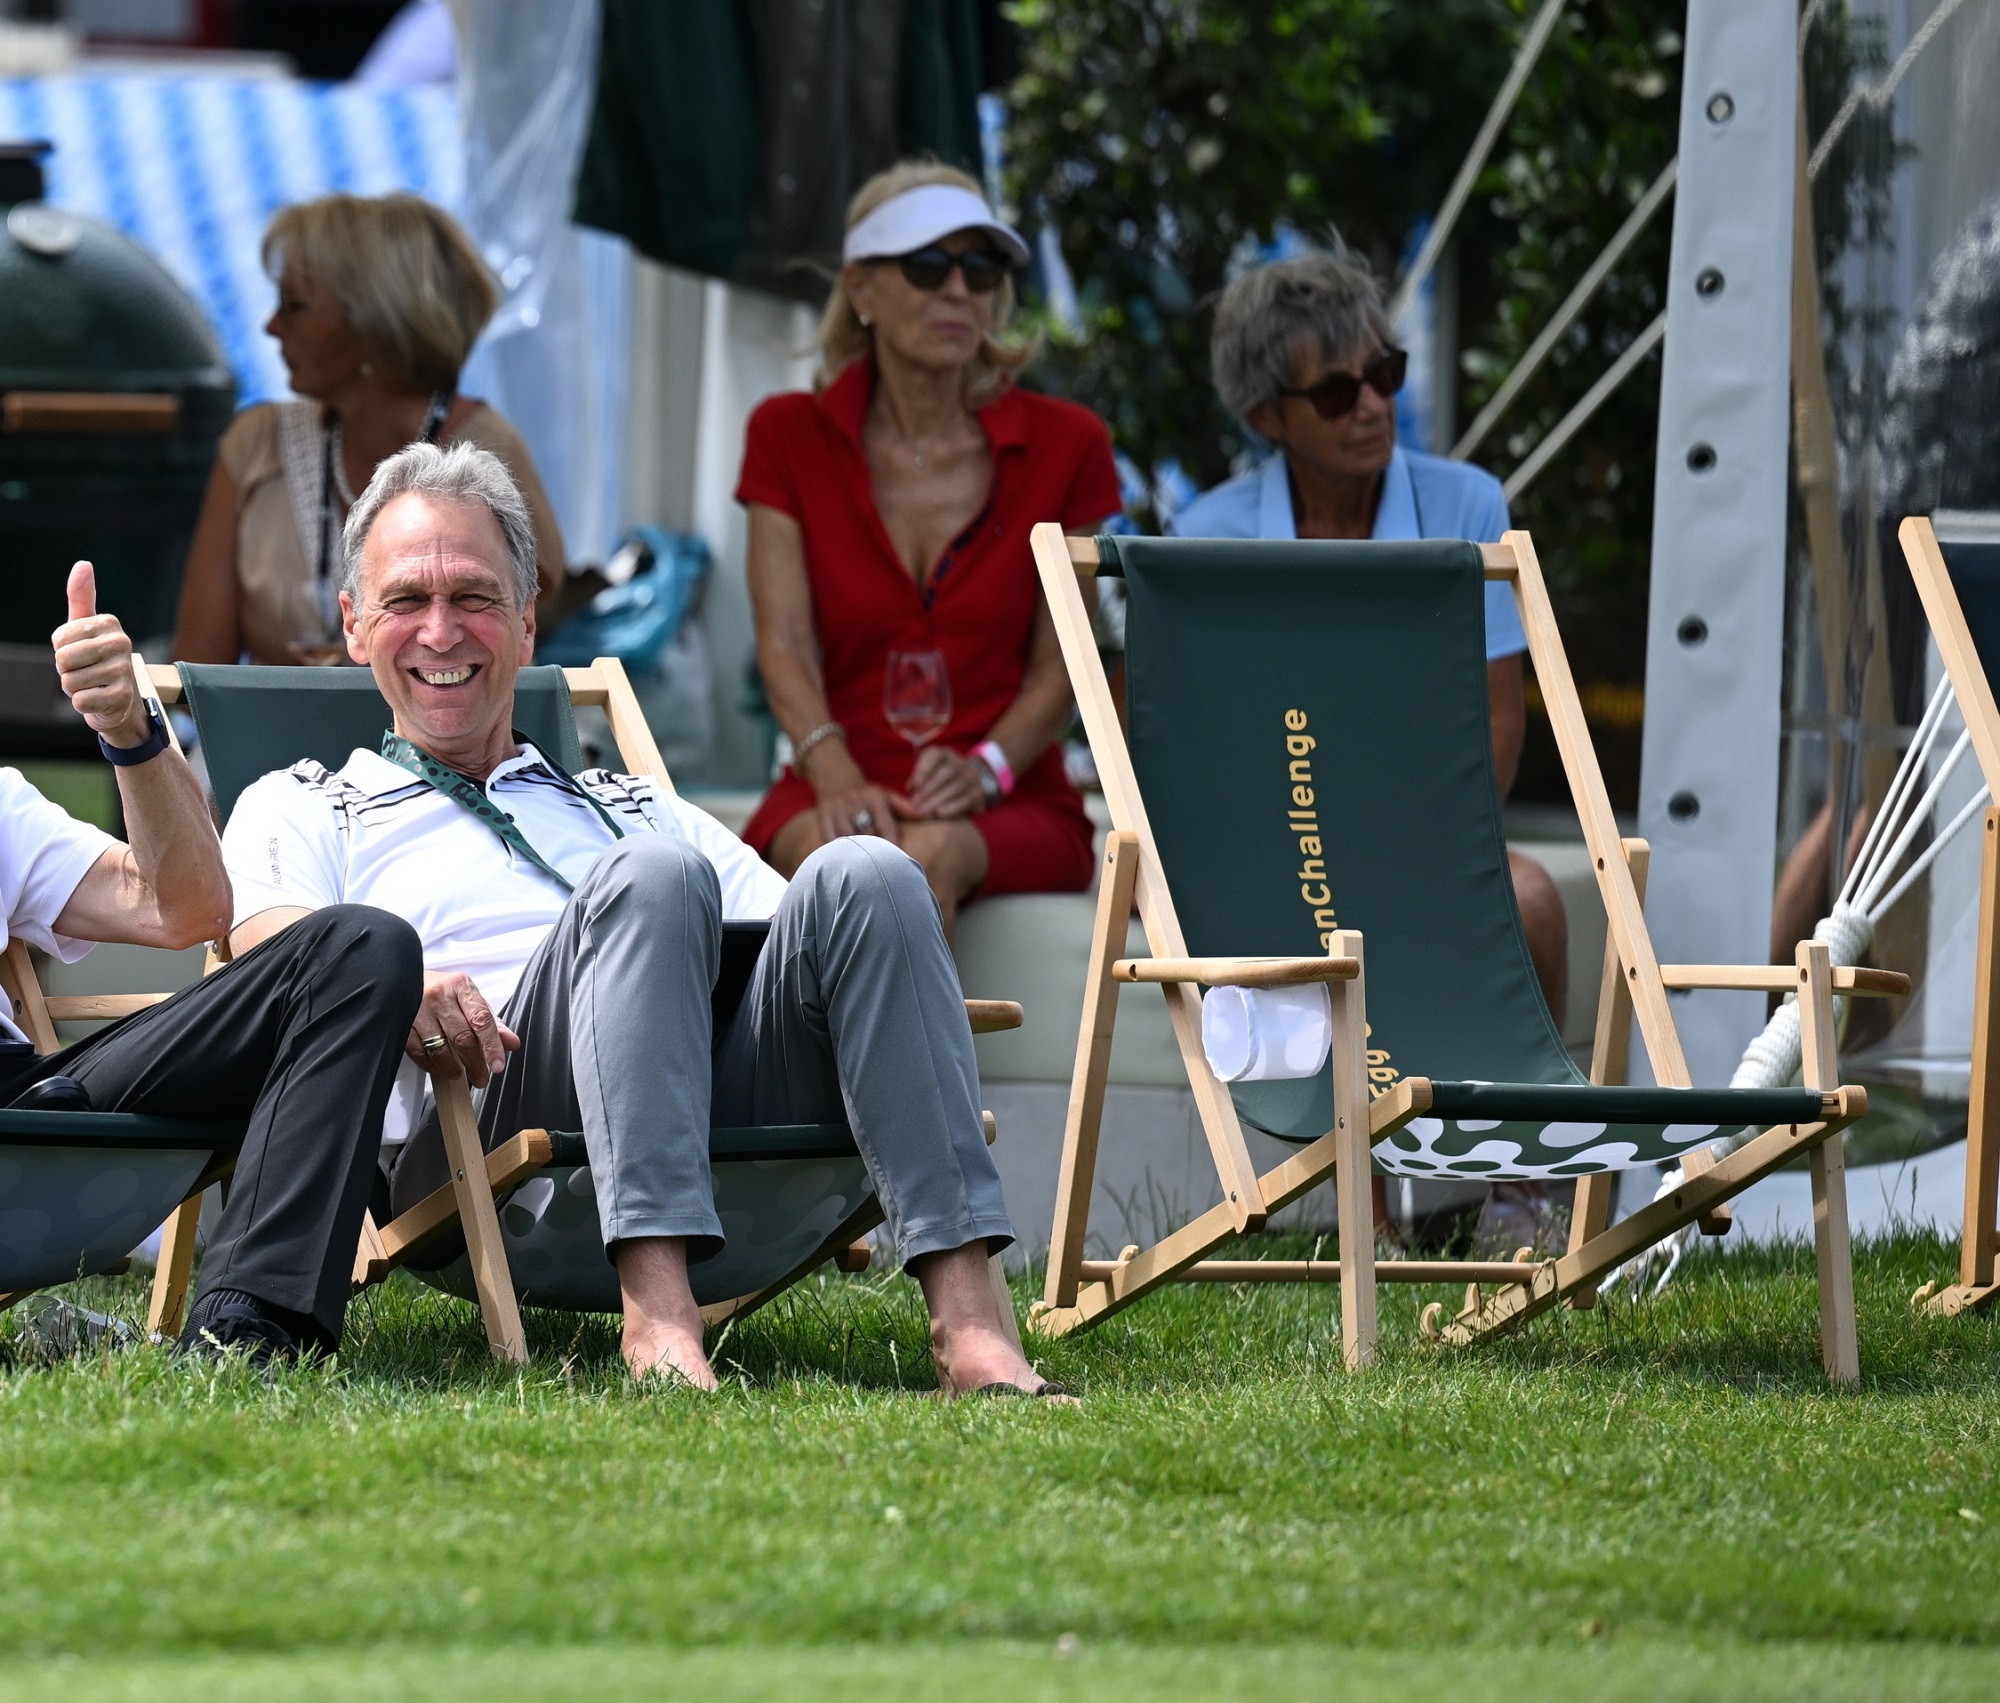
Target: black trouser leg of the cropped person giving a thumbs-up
[301,1038]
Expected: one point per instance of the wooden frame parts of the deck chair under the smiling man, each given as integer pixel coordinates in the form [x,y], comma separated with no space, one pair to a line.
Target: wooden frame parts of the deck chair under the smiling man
[469,1202]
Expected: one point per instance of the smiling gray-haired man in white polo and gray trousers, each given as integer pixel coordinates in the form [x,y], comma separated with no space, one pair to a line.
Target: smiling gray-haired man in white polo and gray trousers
[575,922]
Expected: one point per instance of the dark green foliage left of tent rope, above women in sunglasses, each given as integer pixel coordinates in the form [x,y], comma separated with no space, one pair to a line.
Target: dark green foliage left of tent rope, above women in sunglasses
[1165,141]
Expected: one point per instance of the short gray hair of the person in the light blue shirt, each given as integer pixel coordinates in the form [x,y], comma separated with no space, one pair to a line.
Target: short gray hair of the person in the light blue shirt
[1321,305]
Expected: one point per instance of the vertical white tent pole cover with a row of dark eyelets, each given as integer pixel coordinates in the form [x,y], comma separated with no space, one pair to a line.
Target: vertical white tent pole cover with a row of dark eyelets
[1715,651]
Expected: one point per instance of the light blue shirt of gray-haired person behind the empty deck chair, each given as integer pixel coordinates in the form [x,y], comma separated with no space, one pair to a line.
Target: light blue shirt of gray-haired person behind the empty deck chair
[1423,497]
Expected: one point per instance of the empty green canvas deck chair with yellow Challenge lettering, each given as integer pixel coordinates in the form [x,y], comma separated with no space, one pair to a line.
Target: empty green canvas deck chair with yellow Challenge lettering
[1309,769]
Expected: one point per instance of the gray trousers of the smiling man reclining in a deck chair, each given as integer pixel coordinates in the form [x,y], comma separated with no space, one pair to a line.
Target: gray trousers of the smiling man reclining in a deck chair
[853,1014]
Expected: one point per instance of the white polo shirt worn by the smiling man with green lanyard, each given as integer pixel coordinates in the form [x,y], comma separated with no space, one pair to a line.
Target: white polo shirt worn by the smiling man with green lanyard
[375,835]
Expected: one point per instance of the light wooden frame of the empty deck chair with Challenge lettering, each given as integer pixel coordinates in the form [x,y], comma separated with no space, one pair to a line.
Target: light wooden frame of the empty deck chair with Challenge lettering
[1501,1294]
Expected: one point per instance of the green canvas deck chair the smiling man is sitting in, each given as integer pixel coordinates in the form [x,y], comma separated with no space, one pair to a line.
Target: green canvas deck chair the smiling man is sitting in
[791,1198]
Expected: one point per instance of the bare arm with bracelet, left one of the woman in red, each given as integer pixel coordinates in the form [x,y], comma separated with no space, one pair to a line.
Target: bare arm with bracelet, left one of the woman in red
[789,659]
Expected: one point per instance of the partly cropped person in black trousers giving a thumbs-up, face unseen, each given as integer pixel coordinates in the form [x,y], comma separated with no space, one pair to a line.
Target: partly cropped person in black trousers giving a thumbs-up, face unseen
[299,1042]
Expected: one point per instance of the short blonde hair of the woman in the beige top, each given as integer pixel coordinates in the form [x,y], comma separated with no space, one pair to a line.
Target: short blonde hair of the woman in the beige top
[405,273]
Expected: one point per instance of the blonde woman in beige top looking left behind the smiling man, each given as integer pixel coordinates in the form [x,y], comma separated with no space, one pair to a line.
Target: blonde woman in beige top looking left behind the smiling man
[379,307]
